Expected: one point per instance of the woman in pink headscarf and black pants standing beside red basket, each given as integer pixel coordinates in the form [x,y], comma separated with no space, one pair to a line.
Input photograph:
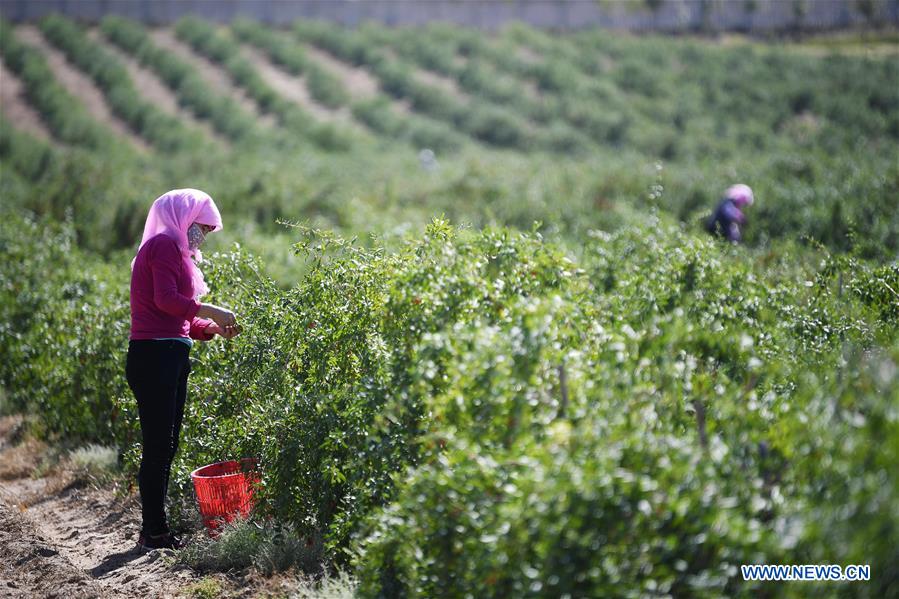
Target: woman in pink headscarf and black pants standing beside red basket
[165,318]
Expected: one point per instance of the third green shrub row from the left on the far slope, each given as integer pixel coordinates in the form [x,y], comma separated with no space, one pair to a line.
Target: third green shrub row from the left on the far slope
[193,92]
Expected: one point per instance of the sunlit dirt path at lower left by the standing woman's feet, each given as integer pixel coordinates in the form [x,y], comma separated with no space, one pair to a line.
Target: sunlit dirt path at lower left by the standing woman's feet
[61,537]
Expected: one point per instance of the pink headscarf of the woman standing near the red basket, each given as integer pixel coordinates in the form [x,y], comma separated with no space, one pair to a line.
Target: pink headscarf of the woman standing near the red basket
[172,214]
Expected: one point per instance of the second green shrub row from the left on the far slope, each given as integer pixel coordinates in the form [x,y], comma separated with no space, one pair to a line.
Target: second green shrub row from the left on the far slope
[160,129]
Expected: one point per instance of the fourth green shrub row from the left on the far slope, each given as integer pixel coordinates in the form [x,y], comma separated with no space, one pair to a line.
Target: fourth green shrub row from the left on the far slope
[204,38]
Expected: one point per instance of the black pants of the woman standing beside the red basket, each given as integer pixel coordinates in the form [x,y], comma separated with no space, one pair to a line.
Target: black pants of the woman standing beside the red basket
[157,374]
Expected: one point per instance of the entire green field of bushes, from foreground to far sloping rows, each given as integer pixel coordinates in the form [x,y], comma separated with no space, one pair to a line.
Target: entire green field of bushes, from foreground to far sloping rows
[520,370]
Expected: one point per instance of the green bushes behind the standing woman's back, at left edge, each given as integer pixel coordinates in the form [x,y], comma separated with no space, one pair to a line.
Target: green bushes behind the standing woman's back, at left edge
[65,320]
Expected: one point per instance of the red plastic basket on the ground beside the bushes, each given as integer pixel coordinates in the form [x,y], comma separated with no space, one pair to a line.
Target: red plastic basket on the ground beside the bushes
[225,490]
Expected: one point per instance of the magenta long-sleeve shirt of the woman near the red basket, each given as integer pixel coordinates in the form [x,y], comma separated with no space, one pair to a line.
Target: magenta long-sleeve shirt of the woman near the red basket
[162,304]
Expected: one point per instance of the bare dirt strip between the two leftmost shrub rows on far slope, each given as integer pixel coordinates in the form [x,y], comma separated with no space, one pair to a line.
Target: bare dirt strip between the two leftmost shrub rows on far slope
[79,85]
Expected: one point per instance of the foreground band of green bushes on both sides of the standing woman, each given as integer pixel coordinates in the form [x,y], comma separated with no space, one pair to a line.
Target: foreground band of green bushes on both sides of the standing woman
[476,413]
